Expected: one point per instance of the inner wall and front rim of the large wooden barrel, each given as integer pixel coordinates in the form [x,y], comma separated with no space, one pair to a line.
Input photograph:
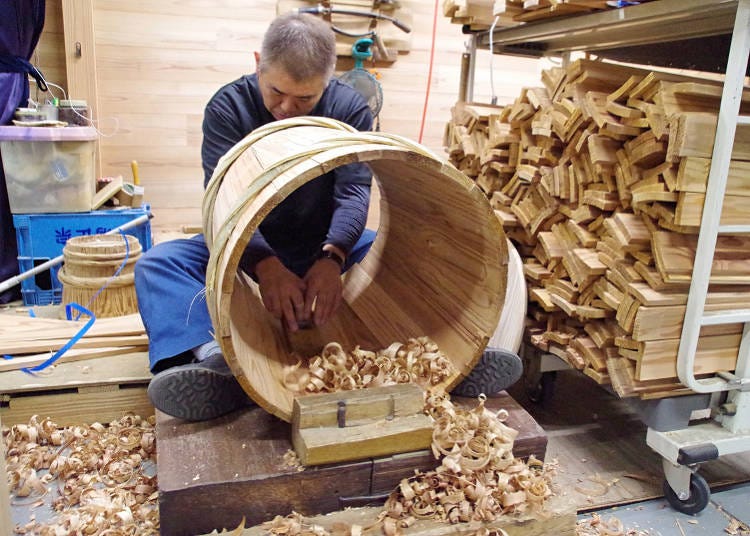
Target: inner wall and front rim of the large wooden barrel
[438,268]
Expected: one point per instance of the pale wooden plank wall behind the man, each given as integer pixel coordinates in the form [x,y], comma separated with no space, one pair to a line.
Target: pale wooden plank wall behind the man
[157,64]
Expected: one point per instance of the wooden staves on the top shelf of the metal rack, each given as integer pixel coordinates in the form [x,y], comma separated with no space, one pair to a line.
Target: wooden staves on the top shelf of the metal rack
[478,14]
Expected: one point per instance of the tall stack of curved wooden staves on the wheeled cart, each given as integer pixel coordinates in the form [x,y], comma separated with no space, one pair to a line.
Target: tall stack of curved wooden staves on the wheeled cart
[599,178]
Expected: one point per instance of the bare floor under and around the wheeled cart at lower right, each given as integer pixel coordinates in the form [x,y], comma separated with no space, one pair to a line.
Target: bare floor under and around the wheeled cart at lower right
[607,468]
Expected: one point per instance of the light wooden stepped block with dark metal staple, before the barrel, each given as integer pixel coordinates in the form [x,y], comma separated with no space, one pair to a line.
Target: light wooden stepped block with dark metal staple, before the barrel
[365,423]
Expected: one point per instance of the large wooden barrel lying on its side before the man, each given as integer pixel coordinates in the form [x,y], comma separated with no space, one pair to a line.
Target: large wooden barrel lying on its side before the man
[437,268]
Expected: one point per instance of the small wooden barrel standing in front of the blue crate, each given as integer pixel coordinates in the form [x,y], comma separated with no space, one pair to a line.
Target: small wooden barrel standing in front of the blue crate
[97,273]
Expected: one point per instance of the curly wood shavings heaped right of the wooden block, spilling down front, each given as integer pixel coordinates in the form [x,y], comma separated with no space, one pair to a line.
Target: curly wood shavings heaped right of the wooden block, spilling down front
[478,479]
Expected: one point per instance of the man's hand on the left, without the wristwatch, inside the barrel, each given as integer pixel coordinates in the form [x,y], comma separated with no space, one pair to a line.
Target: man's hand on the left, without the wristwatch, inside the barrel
[283,292]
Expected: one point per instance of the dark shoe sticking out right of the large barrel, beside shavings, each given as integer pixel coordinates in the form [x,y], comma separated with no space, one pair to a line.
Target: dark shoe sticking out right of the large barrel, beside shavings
[496,370]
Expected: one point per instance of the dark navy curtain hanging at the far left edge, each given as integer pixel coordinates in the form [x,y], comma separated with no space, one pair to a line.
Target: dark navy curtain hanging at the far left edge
[21,23]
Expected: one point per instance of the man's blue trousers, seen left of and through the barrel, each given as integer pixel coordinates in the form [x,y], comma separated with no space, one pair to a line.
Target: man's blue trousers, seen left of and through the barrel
[170,280]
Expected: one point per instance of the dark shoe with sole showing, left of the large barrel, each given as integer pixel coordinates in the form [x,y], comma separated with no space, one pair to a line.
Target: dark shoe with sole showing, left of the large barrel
[197,391]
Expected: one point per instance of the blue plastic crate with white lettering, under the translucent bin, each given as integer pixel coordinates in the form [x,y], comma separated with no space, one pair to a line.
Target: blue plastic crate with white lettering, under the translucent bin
[41,237]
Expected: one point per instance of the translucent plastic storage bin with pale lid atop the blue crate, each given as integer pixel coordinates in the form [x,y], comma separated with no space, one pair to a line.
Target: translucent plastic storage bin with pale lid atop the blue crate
[49,169]
